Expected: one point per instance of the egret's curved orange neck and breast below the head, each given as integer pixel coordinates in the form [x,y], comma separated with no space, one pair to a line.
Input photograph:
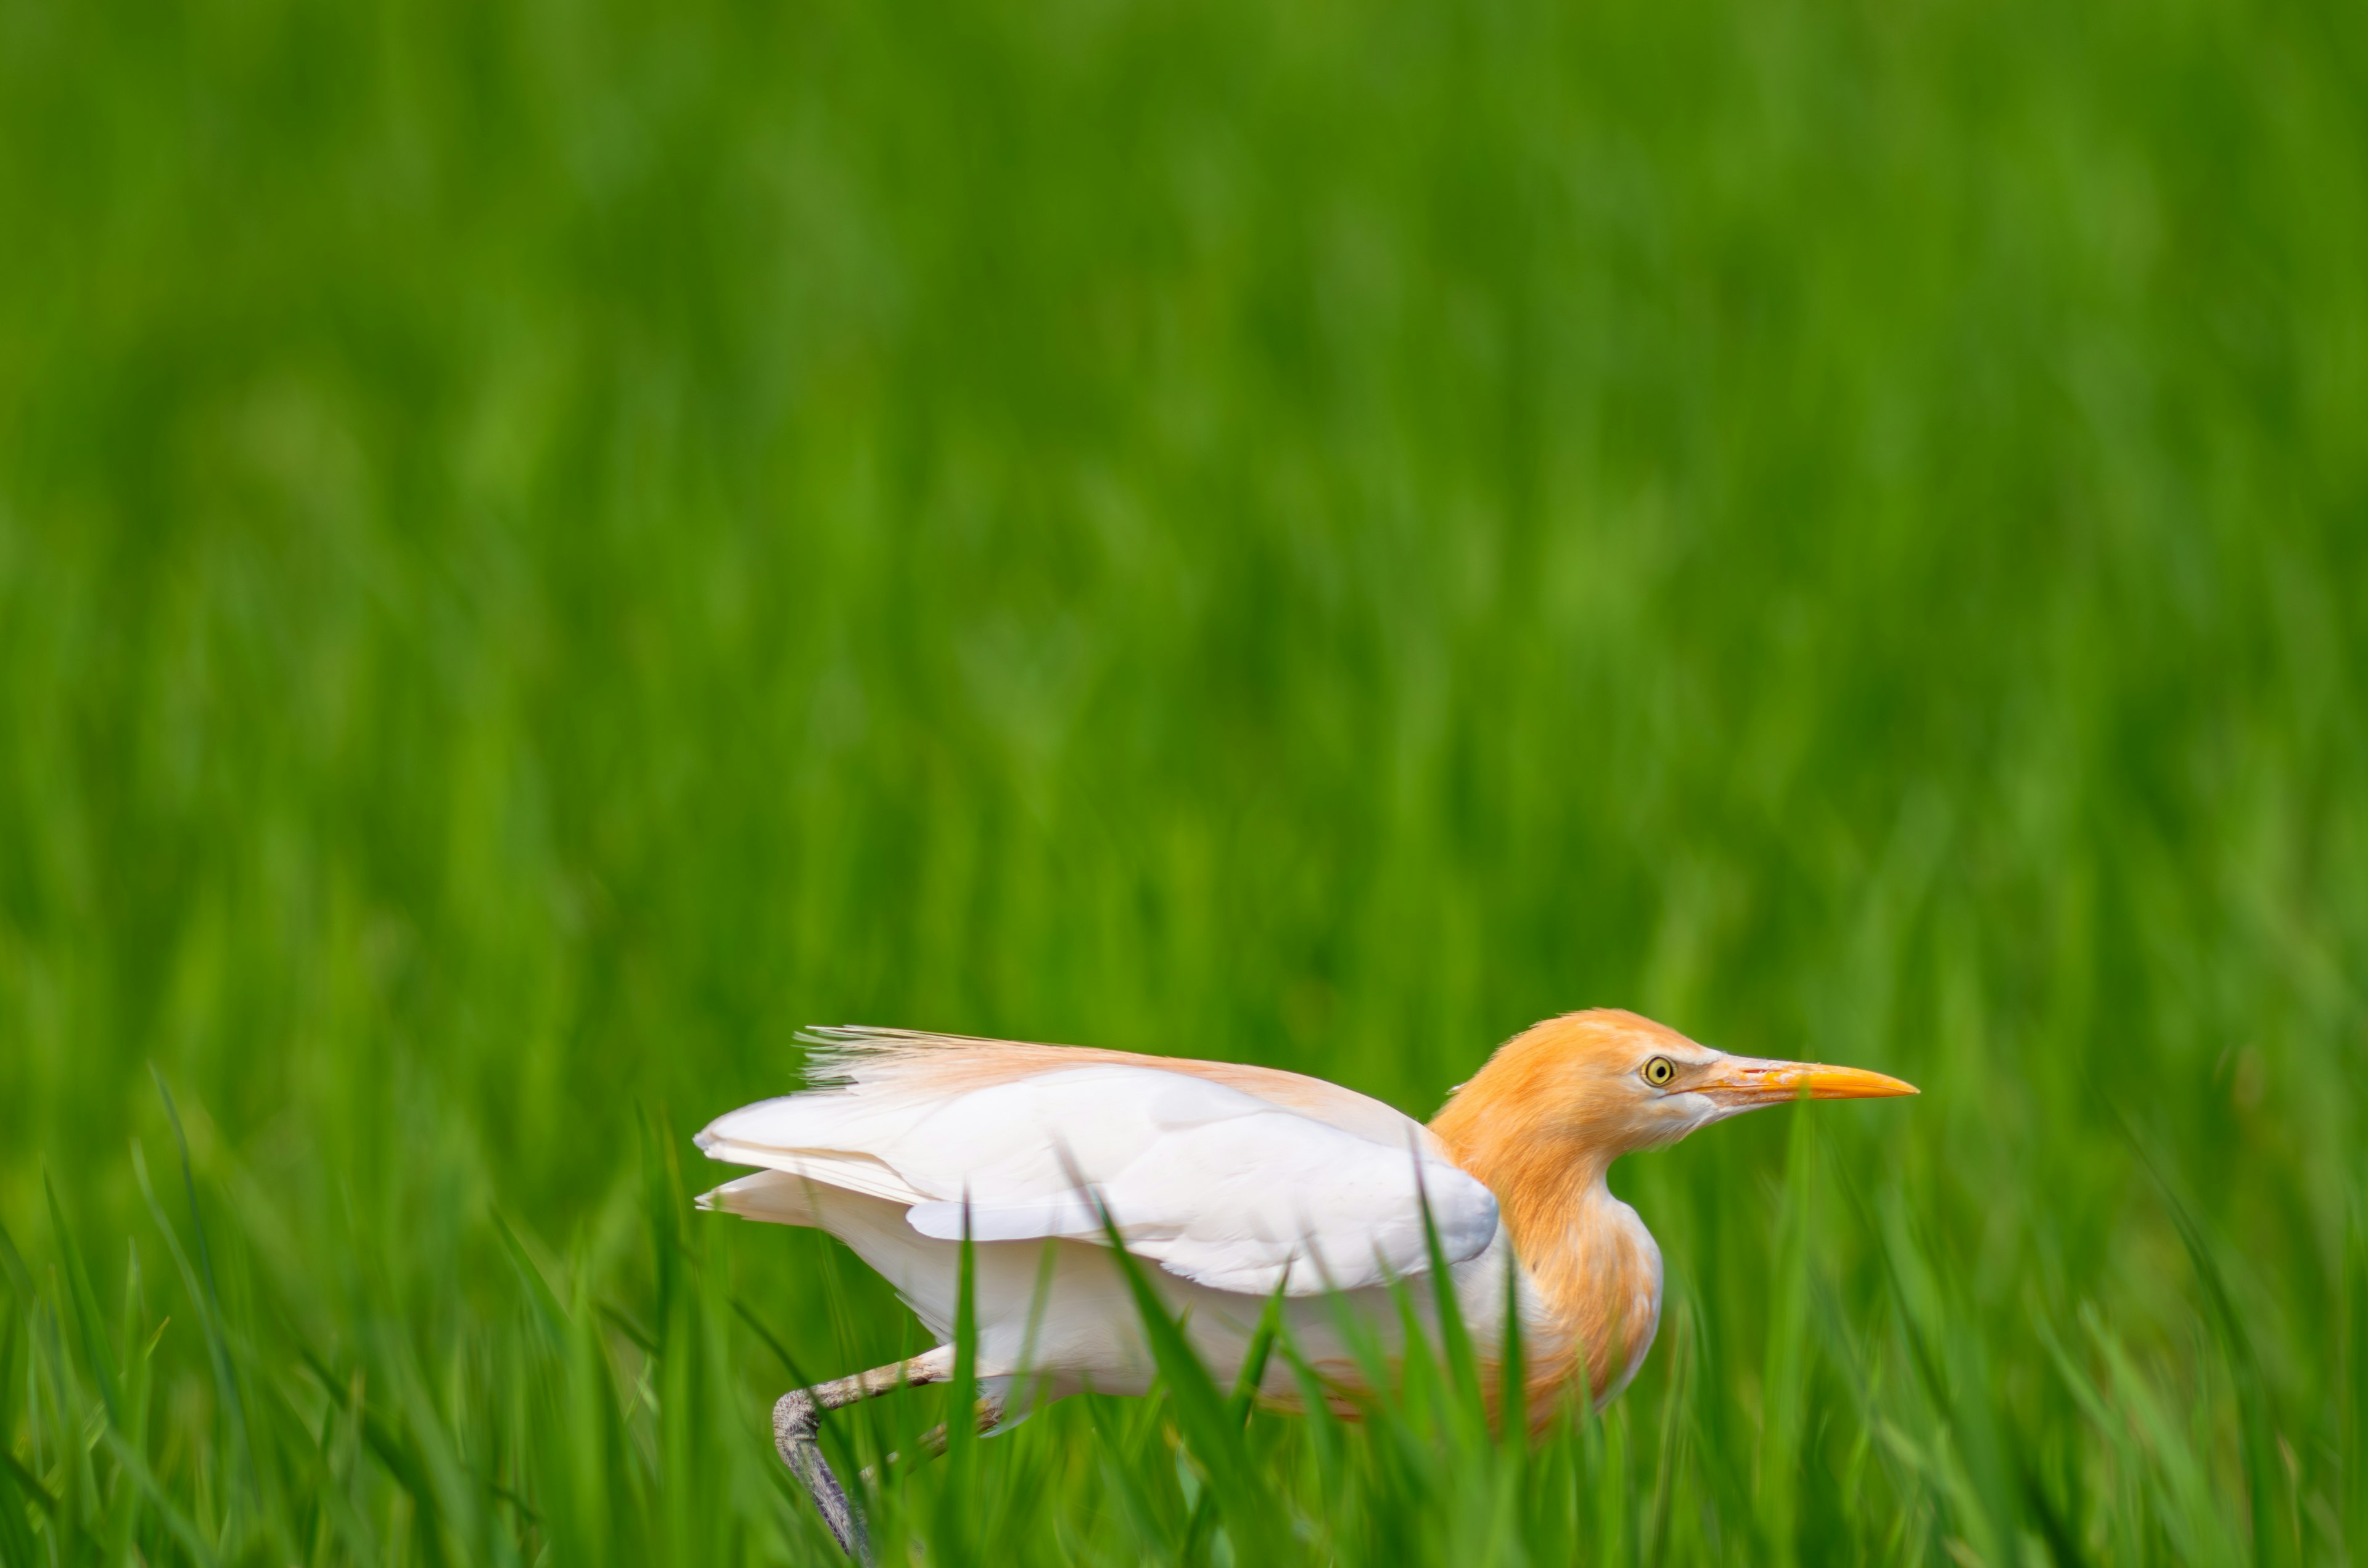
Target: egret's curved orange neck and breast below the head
[1590,1259]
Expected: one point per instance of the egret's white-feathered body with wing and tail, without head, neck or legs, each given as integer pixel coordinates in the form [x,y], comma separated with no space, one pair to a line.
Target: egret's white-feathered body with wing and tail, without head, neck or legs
[1233,1193]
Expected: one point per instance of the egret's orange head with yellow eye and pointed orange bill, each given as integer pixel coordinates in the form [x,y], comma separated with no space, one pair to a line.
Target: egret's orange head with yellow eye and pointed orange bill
[1588,1088]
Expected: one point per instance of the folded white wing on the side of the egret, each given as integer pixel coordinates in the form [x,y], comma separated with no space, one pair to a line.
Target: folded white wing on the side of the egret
[1218,1185]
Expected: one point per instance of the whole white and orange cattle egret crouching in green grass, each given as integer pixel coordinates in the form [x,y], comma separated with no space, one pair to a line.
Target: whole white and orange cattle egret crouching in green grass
[1242,1185]
